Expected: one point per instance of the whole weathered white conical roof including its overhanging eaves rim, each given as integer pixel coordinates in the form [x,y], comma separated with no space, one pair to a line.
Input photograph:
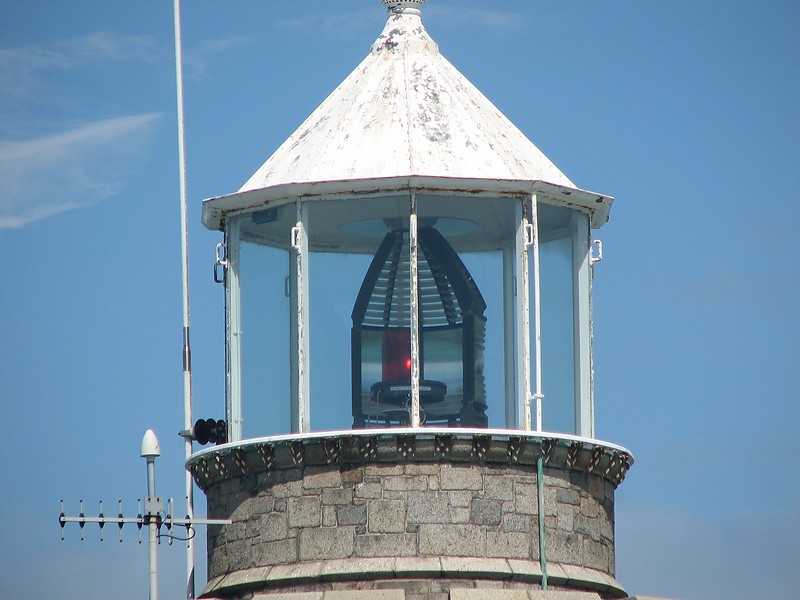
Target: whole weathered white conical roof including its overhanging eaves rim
[405,118]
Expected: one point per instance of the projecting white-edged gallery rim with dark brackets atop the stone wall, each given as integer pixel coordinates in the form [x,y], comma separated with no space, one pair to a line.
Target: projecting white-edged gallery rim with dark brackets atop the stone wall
[459,445]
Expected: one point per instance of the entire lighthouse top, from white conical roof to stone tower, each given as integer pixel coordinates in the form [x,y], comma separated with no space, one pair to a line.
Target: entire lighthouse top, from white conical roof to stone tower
[409,387]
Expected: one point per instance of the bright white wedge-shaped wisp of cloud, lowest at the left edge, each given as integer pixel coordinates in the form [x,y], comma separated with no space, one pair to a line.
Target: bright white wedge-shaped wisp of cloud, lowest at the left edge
[74,169]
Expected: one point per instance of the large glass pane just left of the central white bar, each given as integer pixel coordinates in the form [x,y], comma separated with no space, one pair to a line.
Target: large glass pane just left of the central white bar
[359,333]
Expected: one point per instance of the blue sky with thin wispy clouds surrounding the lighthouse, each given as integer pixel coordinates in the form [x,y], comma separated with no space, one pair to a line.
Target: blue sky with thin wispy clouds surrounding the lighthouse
[685,111]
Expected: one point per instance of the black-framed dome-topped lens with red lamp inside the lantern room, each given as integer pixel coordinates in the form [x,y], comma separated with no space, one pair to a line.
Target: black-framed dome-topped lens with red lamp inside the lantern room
[452,337]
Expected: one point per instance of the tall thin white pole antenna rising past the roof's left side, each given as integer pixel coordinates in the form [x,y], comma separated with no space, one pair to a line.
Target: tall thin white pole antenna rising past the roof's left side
[187,355]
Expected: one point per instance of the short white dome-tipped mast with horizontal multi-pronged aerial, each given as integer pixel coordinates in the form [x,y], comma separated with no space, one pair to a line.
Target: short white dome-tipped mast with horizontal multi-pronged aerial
[154,517]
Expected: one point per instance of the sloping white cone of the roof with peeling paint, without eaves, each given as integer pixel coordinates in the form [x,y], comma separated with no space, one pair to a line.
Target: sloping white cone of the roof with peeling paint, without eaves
[405,111]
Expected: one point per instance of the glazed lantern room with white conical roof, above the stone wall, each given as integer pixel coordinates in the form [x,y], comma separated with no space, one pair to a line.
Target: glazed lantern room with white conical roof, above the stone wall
[408,220]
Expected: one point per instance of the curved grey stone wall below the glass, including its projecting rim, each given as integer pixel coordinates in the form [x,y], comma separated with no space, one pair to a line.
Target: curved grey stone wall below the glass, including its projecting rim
[410,509]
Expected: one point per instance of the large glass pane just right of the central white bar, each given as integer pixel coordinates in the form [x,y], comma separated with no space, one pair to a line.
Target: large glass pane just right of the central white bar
[462,241]
